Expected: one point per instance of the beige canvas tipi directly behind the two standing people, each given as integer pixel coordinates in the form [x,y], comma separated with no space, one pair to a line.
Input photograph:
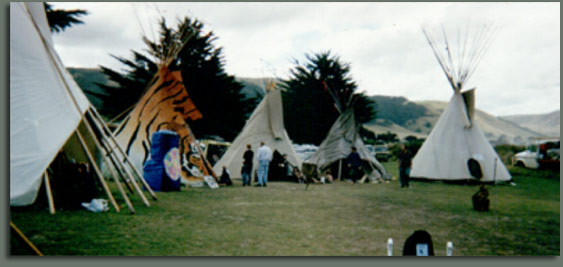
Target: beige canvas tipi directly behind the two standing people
[264,125]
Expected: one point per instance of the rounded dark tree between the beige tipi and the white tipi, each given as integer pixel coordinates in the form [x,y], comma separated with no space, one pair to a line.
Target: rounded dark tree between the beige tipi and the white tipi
[314,93]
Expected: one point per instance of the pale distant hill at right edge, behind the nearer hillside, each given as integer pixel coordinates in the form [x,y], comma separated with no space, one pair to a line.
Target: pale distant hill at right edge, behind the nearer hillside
[546,124]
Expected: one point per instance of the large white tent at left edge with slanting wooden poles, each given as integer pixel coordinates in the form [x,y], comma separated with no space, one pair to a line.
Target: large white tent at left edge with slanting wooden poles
[50,114]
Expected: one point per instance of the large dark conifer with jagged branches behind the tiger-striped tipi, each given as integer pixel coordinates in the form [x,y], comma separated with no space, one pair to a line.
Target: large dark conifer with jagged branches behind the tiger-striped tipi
[215,93]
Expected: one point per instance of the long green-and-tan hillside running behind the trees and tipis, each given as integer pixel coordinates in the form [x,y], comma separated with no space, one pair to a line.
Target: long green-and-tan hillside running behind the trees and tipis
[394,114]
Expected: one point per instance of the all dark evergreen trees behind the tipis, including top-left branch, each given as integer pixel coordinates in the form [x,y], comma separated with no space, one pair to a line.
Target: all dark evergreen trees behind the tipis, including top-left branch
[312,95]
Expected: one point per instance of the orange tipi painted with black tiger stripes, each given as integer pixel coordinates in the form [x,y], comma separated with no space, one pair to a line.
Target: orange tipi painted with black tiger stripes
[165,102]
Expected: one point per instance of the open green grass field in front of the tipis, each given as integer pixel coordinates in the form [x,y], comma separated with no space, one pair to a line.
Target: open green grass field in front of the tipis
[326,220]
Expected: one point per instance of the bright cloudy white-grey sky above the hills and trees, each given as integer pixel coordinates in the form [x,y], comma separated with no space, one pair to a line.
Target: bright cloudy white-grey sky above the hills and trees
[382,42]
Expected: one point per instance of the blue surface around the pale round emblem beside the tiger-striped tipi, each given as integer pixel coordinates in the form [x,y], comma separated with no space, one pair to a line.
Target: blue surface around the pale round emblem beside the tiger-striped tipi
[153,169]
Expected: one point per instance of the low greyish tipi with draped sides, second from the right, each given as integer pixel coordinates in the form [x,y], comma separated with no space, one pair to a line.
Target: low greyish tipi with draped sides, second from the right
[335,148]
